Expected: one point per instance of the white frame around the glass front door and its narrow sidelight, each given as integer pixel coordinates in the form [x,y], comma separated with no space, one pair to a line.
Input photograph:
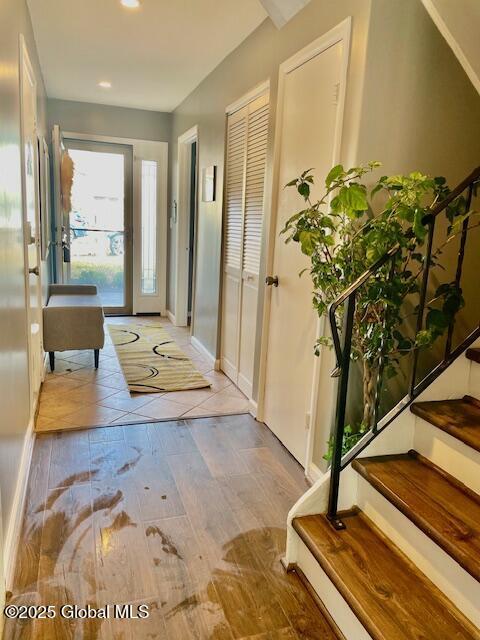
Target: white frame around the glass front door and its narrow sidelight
[144,150]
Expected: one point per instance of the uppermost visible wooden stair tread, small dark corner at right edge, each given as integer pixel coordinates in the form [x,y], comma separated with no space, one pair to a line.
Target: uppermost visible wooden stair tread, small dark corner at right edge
[460,418]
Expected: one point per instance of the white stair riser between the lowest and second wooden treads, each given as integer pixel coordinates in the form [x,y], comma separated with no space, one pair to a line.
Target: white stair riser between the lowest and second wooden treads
[438,566]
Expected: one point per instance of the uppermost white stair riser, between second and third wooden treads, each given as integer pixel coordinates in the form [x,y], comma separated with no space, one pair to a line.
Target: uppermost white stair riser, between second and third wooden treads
[449,453]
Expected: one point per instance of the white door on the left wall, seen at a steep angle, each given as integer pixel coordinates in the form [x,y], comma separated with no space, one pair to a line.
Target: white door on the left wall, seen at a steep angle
[31,223]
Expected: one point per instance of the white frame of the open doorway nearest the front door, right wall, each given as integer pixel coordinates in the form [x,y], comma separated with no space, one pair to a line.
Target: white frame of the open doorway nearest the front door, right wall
[182,236]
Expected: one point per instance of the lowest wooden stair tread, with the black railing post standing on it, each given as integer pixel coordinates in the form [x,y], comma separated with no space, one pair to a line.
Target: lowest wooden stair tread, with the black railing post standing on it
[387,593]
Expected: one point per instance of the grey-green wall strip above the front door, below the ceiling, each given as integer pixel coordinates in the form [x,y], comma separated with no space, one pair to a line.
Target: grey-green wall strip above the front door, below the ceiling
[104,120]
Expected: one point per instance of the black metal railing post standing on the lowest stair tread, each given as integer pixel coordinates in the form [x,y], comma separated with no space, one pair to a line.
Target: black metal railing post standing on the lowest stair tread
[336,467]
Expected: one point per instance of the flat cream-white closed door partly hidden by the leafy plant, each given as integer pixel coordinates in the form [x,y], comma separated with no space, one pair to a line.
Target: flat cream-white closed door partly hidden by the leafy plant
[307,125]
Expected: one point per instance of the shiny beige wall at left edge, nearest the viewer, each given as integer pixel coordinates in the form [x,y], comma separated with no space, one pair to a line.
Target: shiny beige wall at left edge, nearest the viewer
[14,396]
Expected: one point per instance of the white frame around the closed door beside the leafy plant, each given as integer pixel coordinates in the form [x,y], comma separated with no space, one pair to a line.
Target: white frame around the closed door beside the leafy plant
[339,33]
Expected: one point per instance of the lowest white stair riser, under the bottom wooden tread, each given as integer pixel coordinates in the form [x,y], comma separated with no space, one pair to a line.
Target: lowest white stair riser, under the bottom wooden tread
[344,617]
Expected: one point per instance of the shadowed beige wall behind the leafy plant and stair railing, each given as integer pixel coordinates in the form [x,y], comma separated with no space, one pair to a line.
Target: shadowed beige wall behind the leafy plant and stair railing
[420,113]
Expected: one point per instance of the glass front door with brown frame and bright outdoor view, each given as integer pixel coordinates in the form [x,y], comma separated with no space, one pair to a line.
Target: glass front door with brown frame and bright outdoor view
[99,224]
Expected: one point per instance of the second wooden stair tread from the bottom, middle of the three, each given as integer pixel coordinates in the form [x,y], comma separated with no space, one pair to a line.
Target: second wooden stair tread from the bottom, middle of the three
[442,507]
